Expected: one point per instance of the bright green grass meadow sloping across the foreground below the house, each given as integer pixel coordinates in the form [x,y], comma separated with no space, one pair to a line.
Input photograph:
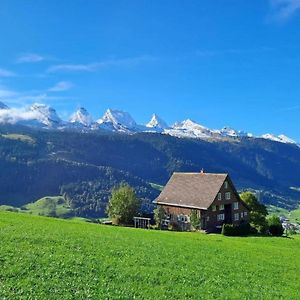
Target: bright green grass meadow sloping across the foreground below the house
[57,259]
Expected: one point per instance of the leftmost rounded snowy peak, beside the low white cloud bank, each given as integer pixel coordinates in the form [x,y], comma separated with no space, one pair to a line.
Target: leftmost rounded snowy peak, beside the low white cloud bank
[45,115]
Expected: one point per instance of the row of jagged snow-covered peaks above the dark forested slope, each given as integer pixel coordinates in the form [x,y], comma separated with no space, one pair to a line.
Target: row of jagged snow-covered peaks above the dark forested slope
[43,116]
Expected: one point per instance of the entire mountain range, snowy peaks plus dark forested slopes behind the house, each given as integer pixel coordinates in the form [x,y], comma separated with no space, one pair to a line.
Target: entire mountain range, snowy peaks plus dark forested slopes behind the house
[82,160]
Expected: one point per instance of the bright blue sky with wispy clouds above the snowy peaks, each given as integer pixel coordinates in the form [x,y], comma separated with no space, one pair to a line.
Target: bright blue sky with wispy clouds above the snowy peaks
[218,62]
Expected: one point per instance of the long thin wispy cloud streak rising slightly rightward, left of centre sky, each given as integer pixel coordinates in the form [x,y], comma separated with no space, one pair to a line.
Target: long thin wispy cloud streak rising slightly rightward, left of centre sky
[91,67]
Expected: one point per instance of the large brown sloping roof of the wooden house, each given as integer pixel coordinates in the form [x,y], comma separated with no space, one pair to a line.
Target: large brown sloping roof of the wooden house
[192,190]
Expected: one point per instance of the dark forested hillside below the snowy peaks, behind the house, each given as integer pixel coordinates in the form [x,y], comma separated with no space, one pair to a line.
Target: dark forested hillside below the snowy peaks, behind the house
[86,165]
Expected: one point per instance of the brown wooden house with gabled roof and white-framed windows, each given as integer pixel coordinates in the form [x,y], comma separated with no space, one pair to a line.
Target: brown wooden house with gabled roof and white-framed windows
[213,196]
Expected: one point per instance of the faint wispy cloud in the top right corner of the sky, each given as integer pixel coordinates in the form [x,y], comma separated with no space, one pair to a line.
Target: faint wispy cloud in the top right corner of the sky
[282,10]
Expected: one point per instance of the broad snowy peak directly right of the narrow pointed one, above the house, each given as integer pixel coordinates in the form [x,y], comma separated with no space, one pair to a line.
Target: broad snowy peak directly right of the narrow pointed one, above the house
[190,129]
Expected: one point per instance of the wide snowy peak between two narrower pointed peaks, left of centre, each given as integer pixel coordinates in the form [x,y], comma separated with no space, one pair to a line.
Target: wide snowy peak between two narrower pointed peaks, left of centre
[117,120]
